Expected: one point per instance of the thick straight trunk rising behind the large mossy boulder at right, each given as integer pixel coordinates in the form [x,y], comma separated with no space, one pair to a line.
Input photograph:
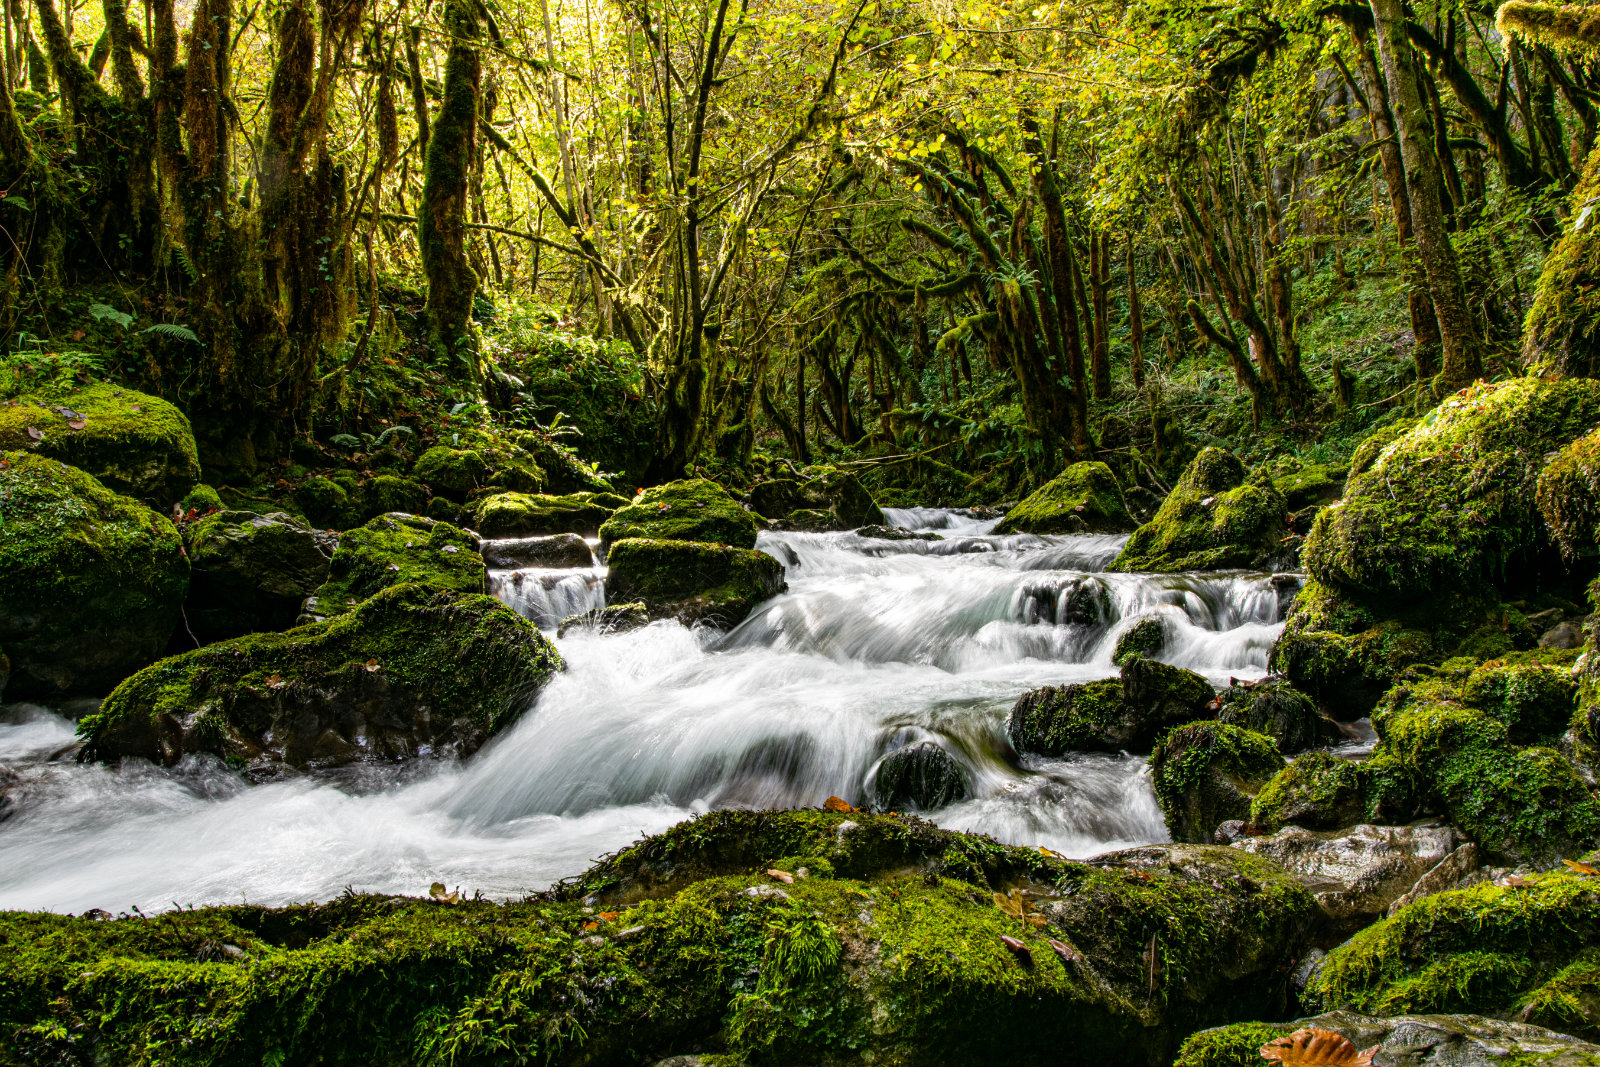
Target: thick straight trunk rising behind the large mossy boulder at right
[1462,351]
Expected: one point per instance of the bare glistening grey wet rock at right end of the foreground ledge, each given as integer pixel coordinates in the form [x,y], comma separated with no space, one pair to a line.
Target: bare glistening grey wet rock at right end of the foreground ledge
[1358,873]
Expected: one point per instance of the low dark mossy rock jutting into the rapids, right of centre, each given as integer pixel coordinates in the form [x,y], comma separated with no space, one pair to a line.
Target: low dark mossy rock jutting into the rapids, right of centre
[1124,714]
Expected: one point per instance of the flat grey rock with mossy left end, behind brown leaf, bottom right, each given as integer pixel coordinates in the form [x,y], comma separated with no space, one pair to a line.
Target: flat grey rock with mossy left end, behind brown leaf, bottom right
[1412,1041]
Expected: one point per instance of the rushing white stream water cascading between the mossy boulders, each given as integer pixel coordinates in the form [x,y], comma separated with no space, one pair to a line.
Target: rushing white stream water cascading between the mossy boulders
[878,644]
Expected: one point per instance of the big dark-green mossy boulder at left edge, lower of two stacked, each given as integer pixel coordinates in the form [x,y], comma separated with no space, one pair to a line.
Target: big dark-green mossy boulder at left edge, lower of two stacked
[92,581]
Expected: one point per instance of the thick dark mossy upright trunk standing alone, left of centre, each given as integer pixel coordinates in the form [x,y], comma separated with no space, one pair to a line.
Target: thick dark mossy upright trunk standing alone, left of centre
[452,148]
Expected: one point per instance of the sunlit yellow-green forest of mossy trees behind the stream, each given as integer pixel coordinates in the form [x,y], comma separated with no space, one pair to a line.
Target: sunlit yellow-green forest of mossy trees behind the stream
[948,246]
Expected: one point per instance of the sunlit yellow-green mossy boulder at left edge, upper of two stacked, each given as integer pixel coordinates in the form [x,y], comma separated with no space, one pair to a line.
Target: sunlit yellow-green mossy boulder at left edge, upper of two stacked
[135,444]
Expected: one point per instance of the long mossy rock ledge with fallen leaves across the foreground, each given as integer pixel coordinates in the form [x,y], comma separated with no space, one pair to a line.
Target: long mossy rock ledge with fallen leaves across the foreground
[889,949]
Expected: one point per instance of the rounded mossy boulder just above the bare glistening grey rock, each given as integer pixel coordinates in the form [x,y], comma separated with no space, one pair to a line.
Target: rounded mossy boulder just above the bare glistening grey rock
[1207,773]
